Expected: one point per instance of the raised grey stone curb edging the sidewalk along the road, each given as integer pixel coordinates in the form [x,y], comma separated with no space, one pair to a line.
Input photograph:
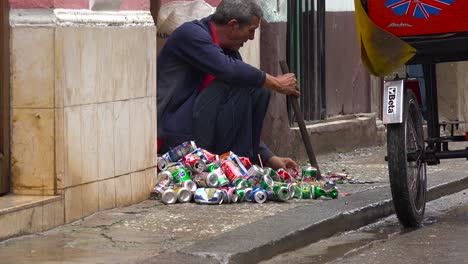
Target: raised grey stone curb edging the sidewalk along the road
[270,236]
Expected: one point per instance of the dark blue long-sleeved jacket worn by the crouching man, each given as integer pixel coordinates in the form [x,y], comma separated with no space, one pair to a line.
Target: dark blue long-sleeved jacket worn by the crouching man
[188,55]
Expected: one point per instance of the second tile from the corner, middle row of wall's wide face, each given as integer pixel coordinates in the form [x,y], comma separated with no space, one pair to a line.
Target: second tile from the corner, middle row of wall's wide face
[89,141]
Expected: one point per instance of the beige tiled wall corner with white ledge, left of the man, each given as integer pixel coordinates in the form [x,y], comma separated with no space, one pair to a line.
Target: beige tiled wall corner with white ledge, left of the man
[83,107]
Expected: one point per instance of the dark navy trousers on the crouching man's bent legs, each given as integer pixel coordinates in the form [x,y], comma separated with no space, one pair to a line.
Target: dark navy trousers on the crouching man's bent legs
[229,118]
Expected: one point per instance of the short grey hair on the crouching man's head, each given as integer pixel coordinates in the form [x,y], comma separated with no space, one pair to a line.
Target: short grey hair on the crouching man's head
[240,10]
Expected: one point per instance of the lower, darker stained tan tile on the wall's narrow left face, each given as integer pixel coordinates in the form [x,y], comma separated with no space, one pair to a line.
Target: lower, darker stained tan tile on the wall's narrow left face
[32,151]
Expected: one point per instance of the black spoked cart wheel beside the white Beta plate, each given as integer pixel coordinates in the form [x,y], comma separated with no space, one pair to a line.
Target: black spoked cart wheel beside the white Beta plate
[407,170]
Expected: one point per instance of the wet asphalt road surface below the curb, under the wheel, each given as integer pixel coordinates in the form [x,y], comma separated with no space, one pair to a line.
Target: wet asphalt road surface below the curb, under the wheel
[442,239]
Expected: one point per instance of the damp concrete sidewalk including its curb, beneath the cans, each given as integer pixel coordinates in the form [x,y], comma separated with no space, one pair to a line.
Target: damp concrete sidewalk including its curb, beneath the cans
[151,232]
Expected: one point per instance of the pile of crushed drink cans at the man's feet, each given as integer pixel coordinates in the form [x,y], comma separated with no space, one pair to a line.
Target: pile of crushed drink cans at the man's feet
[187,173]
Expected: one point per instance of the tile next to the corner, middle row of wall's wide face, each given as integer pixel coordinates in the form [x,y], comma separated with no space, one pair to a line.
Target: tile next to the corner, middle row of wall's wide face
[73,147]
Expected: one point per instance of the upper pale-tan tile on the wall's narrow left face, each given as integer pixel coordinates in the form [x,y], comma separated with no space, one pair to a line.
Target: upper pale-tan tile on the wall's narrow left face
[32,57]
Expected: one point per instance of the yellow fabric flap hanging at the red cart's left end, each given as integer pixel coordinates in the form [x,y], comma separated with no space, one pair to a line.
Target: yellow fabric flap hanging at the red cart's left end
[381,52]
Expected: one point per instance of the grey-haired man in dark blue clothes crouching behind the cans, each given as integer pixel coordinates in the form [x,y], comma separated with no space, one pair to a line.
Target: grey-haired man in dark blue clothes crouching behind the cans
[206,93]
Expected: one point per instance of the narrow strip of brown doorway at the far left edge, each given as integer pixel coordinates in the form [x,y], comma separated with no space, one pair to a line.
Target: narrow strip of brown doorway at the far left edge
[4,98]
